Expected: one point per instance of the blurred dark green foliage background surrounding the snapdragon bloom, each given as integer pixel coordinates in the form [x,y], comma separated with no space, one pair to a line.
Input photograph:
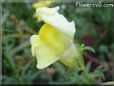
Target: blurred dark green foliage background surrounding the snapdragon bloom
[94,27]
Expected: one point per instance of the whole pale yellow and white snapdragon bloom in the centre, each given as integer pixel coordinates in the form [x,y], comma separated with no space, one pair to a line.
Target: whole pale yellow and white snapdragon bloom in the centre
[55,40]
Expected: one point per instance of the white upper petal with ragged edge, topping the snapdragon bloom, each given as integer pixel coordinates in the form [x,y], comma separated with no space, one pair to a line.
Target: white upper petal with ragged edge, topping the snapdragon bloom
[58,21]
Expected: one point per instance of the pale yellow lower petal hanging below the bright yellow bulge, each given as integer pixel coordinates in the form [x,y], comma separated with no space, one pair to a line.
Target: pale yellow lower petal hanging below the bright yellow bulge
[45,56]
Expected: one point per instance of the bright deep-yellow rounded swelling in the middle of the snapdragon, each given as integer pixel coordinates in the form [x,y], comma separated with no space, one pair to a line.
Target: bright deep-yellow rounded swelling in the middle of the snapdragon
[53,38]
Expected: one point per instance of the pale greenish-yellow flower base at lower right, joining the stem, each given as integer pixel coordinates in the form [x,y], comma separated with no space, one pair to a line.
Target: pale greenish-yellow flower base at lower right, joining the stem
[72,58]
